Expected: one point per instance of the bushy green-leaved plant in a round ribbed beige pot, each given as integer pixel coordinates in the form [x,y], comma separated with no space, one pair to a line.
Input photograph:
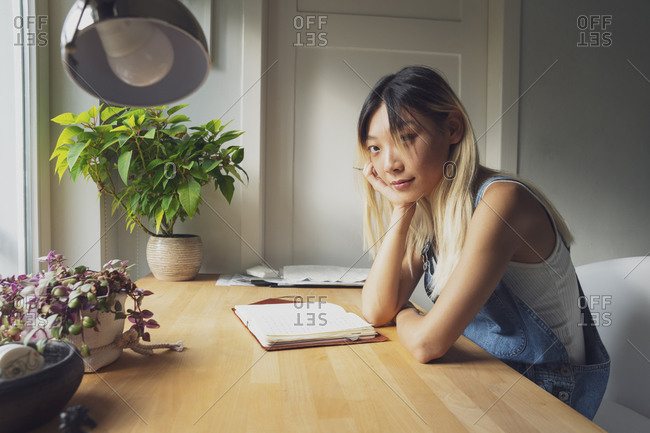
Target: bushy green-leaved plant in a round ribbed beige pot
[153,167]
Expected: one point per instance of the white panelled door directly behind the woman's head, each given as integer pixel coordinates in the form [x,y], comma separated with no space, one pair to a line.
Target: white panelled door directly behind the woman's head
[324,58]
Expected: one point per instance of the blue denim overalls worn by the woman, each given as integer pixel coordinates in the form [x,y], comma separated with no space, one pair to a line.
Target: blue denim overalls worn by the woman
[509,330]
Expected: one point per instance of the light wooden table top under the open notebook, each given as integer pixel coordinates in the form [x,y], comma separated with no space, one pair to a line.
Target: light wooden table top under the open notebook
[225,382]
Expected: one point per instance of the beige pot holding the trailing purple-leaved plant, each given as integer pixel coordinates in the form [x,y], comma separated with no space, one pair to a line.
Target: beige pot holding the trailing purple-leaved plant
[109,330]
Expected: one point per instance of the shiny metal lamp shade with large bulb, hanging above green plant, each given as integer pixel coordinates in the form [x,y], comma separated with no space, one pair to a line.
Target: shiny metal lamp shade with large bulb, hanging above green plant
[136,53]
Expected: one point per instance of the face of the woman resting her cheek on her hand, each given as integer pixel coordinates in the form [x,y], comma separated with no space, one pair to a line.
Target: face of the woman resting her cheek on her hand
[415,170]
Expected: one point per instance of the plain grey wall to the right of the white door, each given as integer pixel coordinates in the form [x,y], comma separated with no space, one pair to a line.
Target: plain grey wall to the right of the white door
[583,134]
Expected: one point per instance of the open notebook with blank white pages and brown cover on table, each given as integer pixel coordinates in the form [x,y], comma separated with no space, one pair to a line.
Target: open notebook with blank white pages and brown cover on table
[285,325]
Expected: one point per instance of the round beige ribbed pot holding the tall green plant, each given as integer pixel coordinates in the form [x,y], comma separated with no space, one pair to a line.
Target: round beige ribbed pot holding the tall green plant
[175,259]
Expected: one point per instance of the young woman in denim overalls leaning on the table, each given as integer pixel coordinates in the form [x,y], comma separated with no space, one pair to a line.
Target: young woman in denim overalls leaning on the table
[503,276]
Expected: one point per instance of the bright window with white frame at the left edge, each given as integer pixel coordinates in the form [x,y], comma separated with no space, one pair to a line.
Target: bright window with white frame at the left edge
[22,32]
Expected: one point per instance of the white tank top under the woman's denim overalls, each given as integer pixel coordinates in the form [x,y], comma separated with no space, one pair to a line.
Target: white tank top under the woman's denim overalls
[550,289]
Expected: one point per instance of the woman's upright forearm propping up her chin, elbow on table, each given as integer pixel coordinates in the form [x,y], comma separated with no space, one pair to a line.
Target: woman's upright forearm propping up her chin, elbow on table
[390,282]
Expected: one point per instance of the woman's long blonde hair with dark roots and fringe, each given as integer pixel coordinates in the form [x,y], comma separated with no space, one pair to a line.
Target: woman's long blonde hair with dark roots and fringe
[444,216]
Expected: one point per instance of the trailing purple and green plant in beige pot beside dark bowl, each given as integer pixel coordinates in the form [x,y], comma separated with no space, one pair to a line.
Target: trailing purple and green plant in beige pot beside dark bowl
[76,304]
